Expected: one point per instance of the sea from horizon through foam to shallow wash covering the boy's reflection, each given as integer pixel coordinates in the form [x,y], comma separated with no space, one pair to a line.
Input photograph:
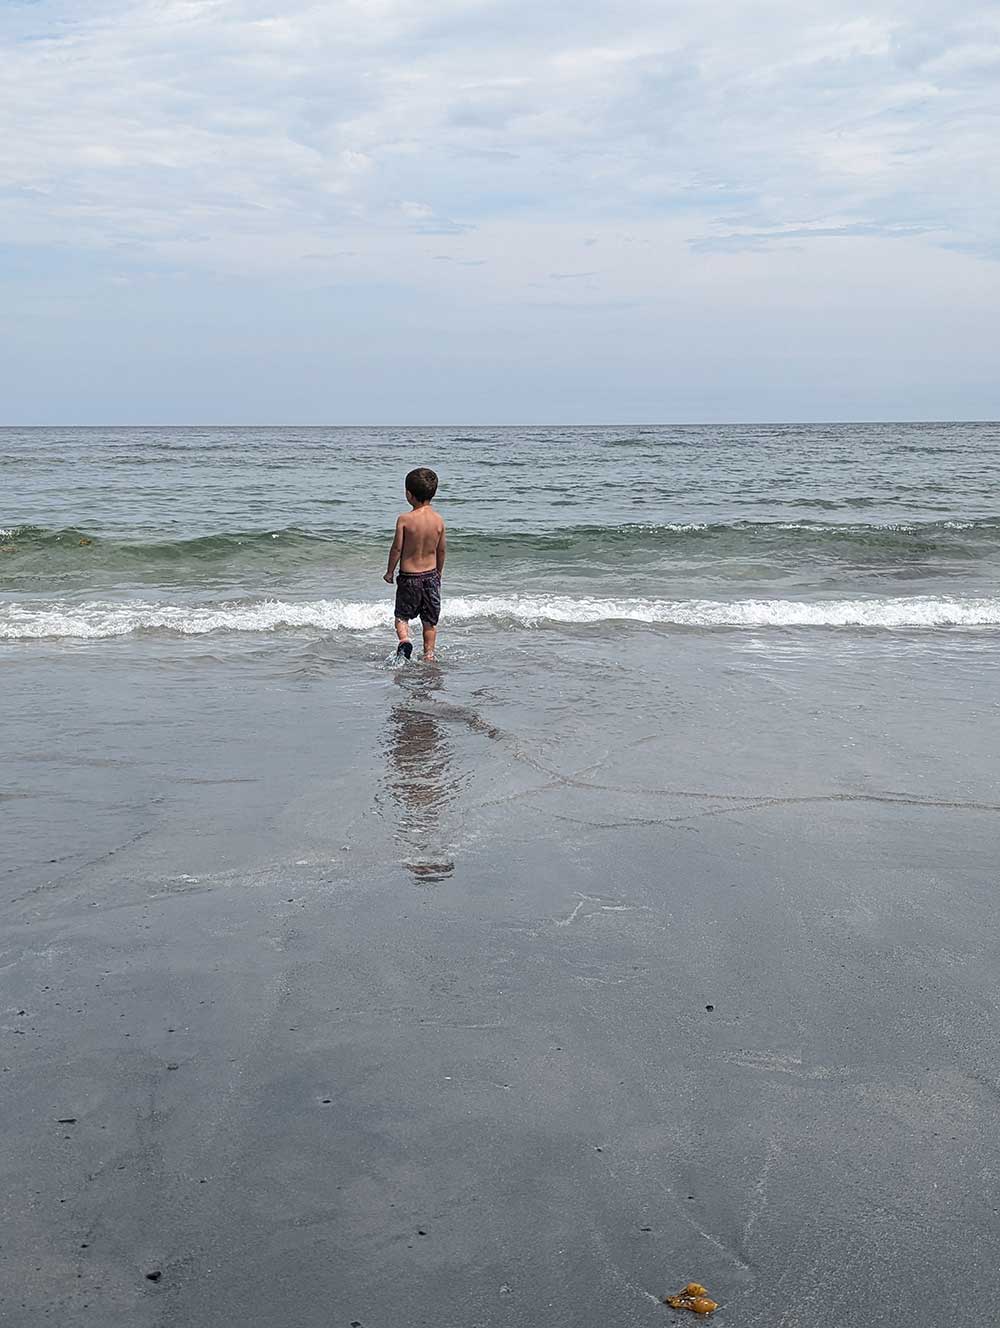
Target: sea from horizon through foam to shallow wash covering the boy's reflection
[790,610]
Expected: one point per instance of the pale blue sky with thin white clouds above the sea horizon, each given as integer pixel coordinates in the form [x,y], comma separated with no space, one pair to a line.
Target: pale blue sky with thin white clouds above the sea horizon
[499,212]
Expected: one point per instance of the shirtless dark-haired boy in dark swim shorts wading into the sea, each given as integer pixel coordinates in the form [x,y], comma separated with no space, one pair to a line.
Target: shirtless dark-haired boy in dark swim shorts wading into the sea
[419,548]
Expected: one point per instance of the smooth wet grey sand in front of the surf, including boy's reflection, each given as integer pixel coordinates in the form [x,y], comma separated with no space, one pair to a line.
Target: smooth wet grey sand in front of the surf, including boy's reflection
[422,1019]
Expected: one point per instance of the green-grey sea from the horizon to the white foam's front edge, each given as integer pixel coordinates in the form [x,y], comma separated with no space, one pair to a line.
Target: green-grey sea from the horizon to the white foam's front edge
[281,533]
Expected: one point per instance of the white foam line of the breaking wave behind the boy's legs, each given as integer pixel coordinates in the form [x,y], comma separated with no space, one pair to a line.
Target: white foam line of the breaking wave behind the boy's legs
[103,620]
